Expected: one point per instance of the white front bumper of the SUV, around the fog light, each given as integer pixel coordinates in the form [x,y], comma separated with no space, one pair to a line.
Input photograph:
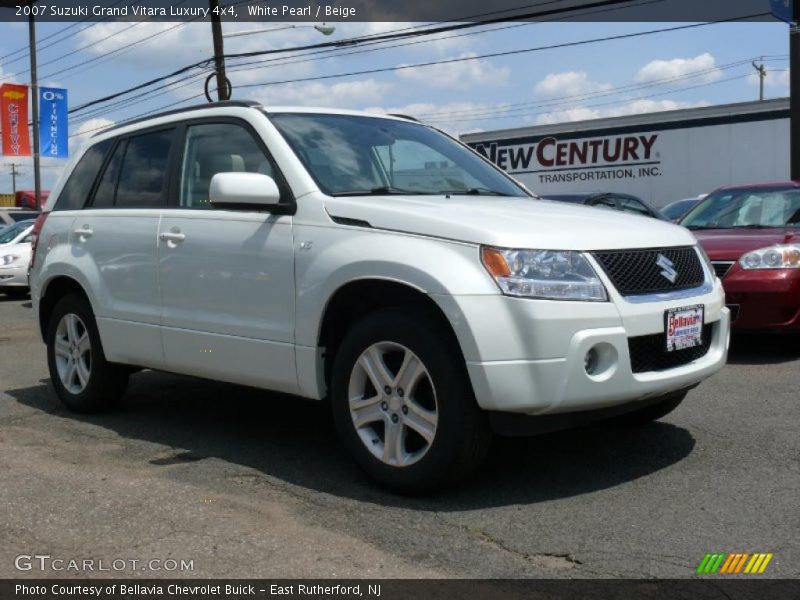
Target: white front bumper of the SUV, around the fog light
[527,356]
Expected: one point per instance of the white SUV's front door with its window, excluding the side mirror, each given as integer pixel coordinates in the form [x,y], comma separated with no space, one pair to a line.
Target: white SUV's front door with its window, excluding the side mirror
[226,276]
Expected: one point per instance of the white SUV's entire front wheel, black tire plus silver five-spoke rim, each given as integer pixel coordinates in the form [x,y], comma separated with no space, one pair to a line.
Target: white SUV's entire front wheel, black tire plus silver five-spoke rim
[441,434]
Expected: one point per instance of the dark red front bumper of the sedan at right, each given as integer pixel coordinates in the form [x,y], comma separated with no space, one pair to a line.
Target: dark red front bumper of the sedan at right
[763,299]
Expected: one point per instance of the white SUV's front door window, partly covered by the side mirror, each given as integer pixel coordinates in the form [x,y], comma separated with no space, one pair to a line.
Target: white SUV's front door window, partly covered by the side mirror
[213,148]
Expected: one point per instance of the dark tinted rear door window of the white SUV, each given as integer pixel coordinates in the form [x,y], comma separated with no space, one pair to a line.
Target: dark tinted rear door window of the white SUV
[143,175]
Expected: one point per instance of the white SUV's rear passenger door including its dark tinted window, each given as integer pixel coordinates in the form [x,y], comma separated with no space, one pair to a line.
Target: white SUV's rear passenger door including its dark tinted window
[115,237]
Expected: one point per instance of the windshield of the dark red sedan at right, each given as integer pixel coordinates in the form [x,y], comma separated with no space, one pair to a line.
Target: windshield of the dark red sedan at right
[747,209]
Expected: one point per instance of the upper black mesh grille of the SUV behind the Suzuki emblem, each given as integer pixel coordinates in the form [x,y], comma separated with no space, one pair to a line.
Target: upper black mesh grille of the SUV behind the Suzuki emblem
[637,271]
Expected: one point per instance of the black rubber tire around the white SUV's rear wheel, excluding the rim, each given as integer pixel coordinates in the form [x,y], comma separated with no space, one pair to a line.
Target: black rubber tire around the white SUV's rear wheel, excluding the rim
[106,381]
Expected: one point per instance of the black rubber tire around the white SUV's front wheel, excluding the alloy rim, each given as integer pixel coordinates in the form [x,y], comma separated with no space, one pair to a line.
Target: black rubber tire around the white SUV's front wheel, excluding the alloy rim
[461,425]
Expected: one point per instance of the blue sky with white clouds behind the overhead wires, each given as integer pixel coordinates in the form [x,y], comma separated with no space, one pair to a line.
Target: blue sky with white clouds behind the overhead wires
[695,67]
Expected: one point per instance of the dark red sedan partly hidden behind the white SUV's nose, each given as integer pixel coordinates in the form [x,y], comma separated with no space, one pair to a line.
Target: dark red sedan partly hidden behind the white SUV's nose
[752,236]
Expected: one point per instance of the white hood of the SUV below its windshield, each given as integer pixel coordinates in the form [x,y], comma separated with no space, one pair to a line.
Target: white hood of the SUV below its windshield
[510,222]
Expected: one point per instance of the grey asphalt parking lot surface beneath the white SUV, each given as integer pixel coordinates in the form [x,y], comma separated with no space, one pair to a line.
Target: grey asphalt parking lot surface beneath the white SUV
[250,484]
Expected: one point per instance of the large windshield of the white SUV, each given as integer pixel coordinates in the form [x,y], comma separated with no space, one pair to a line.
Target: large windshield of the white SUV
[355,155]
